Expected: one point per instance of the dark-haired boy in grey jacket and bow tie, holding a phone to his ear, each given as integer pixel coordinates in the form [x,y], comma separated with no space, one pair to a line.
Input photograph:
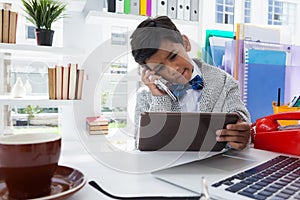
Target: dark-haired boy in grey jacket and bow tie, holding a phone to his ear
[159,47]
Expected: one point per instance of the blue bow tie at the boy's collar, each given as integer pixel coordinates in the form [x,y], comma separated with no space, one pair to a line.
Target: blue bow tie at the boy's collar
[179,90]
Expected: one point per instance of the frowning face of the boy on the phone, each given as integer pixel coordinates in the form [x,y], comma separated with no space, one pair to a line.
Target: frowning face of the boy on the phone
[171,62]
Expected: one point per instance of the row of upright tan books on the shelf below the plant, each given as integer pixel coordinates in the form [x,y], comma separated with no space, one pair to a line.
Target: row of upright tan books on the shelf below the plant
[65,82]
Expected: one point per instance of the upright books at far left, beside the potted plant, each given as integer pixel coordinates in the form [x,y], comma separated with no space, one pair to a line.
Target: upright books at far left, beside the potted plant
[8,26]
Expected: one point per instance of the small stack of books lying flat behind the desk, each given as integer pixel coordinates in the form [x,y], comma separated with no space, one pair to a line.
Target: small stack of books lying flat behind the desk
[97,125]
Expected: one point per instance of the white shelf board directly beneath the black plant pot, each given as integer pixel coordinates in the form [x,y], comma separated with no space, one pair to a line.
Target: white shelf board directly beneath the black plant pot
[30,49]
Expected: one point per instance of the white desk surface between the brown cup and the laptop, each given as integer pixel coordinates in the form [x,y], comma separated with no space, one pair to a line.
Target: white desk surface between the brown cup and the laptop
[99,164]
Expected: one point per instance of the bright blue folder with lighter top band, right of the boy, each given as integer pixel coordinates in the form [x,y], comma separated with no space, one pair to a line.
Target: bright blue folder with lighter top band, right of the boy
[266,73]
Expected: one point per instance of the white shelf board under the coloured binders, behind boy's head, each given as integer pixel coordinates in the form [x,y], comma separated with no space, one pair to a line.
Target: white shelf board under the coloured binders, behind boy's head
[97,17]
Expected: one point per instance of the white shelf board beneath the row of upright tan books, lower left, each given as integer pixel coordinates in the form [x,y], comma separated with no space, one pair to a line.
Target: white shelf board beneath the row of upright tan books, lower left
[33,100]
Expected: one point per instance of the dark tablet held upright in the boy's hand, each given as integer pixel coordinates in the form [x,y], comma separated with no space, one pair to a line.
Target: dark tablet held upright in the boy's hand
[182,131]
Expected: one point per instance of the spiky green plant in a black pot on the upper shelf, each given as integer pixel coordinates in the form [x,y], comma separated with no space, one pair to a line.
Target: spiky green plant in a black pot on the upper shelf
[42,13]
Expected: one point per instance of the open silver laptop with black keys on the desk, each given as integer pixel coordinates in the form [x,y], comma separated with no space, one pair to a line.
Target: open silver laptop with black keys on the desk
[247,174]
